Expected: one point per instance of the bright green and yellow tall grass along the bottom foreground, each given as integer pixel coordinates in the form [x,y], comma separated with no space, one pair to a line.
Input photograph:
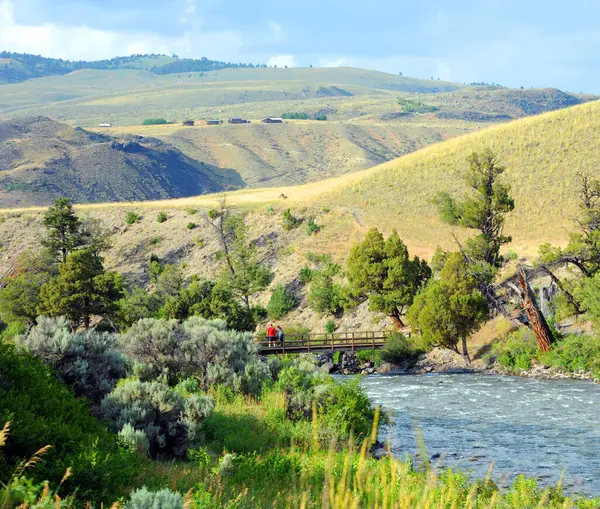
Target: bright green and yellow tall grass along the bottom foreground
[247,464]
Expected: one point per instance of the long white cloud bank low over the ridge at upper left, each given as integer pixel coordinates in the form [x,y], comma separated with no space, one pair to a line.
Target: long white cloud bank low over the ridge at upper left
[83,42]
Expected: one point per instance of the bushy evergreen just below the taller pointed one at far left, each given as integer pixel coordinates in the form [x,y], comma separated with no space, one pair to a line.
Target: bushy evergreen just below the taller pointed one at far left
[81,290]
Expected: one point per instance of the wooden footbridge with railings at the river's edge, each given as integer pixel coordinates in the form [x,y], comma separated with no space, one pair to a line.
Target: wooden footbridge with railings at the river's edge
[321,342]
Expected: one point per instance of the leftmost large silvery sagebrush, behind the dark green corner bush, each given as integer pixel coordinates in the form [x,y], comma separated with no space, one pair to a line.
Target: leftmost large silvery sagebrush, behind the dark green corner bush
[89,362]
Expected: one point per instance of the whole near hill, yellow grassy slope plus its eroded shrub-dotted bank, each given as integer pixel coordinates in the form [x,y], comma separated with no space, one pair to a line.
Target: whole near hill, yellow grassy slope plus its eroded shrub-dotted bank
[542,154]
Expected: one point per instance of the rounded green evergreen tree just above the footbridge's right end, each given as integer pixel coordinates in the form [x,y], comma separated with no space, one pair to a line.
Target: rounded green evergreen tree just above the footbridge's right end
[382,271]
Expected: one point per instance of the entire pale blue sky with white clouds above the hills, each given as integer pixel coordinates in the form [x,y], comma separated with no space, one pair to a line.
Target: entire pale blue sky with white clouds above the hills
[541,43]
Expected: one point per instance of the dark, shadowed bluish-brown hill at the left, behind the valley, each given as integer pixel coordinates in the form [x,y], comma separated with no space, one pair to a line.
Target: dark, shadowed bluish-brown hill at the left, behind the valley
[41,159]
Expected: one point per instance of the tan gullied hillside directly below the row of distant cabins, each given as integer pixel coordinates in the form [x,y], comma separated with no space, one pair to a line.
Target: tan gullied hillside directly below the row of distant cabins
[297,151]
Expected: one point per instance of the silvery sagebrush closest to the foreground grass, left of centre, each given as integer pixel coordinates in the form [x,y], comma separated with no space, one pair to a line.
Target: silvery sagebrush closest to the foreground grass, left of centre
[170,421]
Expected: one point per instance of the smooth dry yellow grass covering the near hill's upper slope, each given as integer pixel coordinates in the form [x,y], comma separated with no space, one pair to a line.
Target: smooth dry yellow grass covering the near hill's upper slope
[542,154]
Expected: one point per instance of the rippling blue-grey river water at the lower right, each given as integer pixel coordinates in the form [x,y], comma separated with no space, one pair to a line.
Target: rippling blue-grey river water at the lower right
[532,427]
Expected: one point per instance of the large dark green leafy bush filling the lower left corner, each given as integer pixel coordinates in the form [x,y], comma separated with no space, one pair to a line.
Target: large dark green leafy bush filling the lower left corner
[42,411]
